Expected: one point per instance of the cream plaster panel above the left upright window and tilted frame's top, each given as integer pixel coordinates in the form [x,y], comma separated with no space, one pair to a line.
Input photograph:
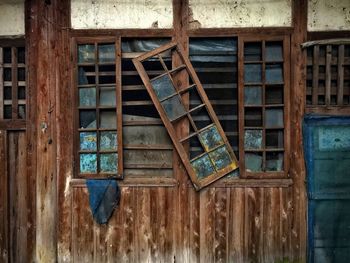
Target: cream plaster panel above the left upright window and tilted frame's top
[111,14]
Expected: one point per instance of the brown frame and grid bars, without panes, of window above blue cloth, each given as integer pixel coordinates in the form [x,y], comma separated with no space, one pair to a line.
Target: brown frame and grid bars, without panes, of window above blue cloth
[118,107]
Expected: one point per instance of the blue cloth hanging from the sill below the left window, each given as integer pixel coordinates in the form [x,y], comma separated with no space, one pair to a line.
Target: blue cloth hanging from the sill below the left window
[104,197]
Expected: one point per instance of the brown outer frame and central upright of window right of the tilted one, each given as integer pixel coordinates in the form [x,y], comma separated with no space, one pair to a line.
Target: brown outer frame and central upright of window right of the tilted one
[286,107]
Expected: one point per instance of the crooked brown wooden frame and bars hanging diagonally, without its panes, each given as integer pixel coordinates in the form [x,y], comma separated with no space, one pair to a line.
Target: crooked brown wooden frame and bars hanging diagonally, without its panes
[208,179]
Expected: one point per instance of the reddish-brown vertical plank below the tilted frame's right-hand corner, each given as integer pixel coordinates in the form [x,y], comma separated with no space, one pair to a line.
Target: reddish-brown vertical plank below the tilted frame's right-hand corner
[236,226]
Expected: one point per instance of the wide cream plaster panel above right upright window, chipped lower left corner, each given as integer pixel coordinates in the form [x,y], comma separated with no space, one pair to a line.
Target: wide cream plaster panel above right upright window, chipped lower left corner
[240,13]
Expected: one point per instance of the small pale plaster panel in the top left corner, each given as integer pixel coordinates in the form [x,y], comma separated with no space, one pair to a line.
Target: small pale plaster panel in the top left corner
[11,17]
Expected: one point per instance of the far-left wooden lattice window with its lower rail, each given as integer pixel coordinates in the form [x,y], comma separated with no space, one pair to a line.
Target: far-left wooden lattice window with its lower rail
[17,119]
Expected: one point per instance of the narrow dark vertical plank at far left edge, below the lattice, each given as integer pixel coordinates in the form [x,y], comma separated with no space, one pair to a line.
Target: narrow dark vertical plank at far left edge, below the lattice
[4,246]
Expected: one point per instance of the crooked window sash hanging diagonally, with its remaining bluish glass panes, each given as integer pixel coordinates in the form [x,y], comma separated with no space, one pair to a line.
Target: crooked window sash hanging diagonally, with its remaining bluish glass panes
[217,157]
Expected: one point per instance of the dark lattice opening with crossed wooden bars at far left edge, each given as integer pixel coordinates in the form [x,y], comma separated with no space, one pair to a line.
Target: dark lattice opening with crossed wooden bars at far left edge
[12,82]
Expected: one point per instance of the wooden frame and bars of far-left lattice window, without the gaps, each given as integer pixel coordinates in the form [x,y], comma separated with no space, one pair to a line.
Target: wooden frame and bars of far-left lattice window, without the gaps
[13,123]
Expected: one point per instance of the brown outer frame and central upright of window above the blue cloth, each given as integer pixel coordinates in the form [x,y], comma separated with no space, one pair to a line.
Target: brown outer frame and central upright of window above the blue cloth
[95,41]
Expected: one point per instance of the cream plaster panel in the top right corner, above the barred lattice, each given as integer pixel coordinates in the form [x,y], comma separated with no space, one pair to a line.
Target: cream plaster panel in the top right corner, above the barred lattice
[328,15]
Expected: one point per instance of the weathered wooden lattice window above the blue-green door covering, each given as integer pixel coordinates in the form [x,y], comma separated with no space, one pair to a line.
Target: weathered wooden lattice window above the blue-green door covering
[334,95]
